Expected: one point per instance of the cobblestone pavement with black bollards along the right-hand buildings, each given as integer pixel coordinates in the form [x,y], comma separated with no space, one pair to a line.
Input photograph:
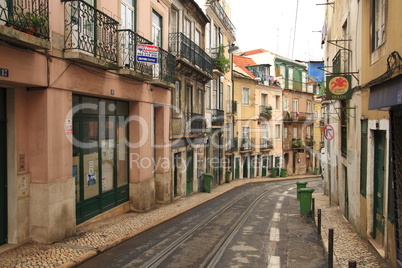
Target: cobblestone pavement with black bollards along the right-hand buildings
[348,245]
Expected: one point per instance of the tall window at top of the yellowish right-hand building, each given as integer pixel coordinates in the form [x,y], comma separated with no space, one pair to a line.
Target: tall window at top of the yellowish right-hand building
[378,33]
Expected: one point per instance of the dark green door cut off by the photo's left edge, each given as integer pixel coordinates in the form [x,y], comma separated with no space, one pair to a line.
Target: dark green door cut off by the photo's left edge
[3,169]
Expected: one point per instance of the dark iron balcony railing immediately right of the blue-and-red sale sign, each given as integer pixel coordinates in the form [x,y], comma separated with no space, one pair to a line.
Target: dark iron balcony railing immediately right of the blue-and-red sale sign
[165,68]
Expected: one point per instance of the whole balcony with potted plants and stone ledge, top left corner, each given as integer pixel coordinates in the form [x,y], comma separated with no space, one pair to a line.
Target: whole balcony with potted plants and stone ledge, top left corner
[25,23]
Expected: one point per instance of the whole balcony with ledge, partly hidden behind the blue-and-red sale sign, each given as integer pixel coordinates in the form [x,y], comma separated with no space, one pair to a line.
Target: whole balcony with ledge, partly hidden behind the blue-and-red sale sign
[129,66]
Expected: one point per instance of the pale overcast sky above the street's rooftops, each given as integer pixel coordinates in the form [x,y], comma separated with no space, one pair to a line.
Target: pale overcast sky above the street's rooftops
[270,24]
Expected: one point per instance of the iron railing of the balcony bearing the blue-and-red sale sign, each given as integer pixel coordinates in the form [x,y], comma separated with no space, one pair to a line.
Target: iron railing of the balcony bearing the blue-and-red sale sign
[128,41]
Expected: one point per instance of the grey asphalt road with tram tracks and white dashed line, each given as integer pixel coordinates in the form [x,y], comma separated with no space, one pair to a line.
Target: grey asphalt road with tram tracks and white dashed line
[256,225]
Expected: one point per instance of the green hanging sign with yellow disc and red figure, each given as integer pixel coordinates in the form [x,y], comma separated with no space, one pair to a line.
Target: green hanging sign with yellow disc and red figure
[339,87]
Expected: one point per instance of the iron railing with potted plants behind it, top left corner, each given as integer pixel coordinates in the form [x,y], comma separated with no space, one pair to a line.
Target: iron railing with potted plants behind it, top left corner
[29,16]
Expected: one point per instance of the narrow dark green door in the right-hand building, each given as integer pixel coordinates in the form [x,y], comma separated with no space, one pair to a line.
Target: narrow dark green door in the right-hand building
[379,168]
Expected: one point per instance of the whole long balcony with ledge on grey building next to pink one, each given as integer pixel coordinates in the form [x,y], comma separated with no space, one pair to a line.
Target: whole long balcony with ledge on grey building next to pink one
[191,56]
